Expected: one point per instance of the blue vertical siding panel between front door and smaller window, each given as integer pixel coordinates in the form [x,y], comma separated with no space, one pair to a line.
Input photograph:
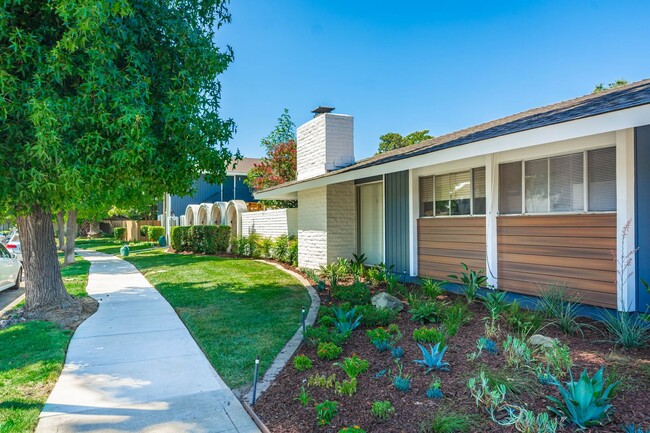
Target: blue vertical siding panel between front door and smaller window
[396,203]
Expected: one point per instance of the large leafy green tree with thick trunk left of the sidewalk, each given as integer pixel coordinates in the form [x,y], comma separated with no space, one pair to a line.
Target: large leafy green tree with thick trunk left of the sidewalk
[100,103]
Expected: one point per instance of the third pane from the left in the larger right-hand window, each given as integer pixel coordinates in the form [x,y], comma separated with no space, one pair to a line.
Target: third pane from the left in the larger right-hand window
[567,183]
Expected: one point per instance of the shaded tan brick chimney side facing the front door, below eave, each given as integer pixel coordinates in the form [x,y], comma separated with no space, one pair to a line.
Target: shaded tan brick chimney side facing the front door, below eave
[341,221]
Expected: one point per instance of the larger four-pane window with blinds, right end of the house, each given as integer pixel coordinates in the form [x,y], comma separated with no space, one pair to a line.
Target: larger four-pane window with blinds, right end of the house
[557,184]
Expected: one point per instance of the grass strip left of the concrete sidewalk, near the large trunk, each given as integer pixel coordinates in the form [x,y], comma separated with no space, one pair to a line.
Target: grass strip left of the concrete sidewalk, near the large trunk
[31,360]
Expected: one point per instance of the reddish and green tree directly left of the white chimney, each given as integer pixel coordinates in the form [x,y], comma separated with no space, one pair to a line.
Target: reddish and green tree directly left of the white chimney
[280,163]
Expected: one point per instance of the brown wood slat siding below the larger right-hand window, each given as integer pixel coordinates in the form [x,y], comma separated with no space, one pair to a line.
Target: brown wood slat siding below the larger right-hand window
[571,249]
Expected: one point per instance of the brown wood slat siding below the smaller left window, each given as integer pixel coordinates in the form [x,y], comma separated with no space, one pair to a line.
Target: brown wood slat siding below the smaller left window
[445,242]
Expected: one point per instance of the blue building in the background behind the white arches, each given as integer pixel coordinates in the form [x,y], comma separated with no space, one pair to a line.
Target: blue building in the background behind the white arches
[233,188]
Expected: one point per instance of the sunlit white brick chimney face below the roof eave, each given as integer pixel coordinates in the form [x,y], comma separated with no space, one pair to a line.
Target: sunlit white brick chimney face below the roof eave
[312,228]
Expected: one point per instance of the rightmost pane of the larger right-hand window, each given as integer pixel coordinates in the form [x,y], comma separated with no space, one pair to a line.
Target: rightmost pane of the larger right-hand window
[601,173]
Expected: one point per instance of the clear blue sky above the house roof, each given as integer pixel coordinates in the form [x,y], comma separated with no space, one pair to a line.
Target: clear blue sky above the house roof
[412,65]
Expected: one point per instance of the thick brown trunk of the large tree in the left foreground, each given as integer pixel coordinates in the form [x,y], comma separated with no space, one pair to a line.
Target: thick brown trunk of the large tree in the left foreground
[44,288]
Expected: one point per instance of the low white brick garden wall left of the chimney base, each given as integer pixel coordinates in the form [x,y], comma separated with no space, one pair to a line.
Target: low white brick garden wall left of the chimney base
[270,223]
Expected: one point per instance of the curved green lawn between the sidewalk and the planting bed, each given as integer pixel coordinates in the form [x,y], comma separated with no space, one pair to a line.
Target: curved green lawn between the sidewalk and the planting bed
[235,308]
